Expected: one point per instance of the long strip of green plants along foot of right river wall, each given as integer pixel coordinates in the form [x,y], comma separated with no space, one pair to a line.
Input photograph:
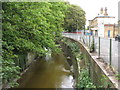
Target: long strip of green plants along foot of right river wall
[84,80]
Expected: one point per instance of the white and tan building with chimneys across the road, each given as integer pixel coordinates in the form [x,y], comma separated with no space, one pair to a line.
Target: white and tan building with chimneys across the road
[103,25]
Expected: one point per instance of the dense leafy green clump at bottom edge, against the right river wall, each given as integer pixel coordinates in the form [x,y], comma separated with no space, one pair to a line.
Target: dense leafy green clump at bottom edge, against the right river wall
[84,80]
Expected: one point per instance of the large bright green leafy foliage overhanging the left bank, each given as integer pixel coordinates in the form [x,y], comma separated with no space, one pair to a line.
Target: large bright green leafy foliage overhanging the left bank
[29,27]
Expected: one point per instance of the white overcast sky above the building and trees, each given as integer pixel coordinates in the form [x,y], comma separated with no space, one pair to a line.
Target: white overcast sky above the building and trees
[92,7]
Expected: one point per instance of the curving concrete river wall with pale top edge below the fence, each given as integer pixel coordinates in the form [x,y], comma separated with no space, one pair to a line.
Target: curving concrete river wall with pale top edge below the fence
[100,74]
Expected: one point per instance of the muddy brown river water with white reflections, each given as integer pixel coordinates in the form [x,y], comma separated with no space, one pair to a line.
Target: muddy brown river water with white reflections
[51,73]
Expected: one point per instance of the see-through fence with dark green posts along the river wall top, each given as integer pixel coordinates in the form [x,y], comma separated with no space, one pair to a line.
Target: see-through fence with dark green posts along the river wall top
[106,48]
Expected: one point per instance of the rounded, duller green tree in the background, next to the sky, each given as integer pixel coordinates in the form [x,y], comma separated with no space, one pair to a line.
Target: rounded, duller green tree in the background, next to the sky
[74,19]
